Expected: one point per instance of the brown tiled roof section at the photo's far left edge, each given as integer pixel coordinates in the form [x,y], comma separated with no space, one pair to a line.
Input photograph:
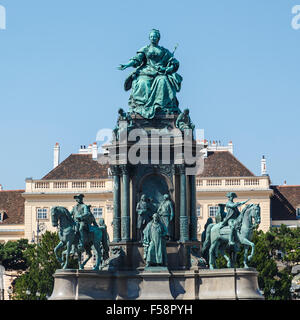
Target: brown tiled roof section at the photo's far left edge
[12,203]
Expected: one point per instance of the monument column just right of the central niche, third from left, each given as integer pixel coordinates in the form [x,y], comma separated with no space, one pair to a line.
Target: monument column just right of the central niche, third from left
[184,232]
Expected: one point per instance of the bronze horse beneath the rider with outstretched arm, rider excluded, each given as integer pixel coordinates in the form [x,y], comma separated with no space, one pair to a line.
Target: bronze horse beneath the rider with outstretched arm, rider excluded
[217,238]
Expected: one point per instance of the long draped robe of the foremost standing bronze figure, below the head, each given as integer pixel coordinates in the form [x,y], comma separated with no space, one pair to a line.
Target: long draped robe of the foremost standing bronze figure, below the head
[154,236]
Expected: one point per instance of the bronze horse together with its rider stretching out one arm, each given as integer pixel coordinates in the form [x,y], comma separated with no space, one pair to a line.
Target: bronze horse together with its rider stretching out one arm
[232,230]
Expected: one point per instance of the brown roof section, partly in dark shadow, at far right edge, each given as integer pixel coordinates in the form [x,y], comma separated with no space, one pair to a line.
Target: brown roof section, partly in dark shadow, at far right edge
[284,202]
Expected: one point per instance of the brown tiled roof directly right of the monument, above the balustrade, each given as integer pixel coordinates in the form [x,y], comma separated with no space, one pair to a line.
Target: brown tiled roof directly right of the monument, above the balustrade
[224,164]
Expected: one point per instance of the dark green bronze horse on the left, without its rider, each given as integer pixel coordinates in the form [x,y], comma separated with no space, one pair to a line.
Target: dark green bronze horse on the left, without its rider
[69,238]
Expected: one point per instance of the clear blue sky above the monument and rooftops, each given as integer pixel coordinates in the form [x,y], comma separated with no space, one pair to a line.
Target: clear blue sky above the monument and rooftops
[240,62]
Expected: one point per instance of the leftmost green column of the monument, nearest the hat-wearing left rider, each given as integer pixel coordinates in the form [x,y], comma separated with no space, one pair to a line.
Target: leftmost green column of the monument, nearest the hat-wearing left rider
[117,205]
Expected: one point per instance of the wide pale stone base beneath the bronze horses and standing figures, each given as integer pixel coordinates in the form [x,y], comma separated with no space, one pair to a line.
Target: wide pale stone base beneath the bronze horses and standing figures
[157,284]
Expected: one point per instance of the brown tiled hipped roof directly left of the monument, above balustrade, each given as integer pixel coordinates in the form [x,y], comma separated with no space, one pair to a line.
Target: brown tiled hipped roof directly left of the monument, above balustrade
[78,166]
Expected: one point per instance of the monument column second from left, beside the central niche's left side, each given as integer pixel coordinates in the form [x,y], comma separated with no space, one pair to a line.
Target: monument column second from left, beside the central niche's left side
[125,214]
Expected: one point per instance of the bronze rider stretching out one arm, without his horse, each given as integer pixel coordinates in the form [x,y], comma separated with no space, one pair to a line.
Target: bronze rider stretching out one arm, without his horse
[232,214]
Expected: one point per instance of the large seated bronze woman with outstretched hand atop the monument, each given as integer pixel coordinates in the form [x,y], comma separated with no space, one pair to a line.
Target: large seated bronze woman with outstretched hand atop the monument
[154,82]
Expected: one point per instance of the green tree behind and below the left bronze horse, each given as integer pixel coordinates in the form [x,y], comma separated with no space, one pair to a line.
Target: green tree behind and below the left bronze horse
[42,265]
